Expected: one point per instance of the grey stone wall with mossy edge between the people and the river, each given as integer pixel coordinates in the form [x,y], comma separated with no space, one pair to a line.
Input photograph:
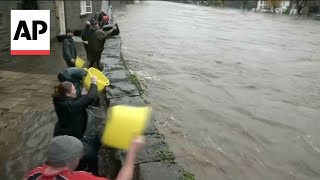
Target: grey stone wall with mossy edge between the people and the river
[156,161]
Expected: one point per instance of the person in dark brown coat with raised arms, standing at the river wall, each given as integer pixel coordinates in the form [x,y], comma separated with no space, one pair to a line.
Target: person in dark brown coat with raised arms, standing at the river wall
[96,44]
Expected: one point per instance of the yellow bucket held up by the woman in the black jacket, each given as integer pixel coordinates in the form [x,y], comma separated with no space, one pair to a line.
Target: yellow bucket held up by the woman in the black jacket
[102,81]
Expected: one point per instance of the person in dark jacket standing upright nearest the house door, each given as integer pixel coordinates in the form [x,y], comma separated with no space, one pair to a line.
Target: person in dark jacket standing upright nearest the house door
[69,51]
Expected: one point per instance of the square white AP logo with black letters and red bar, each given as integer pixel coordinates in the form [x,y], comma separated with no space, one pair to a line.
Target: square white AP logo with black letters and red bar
[30,32]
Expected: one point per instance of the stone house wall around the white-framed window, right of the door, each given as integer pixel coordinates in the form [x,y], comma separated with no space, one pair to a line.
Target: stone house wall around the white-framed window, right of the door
[72,13]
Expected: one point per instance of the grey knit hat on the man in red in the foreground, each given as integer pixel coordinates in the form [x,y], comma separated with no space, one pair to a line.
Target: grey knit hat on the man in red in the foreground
[63,150]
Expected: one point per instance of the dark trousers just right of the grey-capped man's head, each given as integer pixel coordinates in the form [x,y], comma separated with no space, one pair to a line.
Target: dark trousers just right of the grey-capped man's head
[89,162]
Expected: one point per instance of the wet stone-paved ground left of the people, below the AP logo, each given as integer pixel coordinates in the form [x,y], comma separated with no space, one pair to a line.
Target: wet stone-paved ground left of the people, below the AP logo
[27,117]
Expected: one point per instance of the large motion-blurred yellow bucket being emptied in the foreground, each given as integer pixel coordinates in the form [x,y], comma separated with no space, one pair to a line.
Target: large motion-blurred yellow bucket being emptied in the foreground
[123,123]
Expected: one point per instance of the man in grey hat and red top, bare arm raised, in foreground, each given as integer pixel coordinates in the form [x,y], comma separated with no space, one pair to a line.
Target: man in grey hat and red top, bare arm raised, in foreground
[63,154]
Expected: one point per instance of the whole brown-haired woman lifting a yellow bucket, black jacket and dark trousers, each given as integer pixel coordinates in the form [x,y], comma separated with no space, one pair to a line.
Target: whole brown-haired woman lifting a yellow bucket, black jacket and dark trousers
[73,118]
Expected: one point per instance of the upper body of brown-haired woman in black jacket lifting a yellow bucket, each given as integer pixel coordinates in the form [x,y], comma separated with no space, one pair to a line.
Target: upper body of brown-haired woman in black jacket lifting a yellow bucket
[71,110]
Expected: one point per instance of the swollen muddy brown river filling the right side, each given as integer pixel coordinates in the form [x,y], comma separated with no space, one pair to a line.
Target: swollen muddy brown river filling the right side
[237,94]
